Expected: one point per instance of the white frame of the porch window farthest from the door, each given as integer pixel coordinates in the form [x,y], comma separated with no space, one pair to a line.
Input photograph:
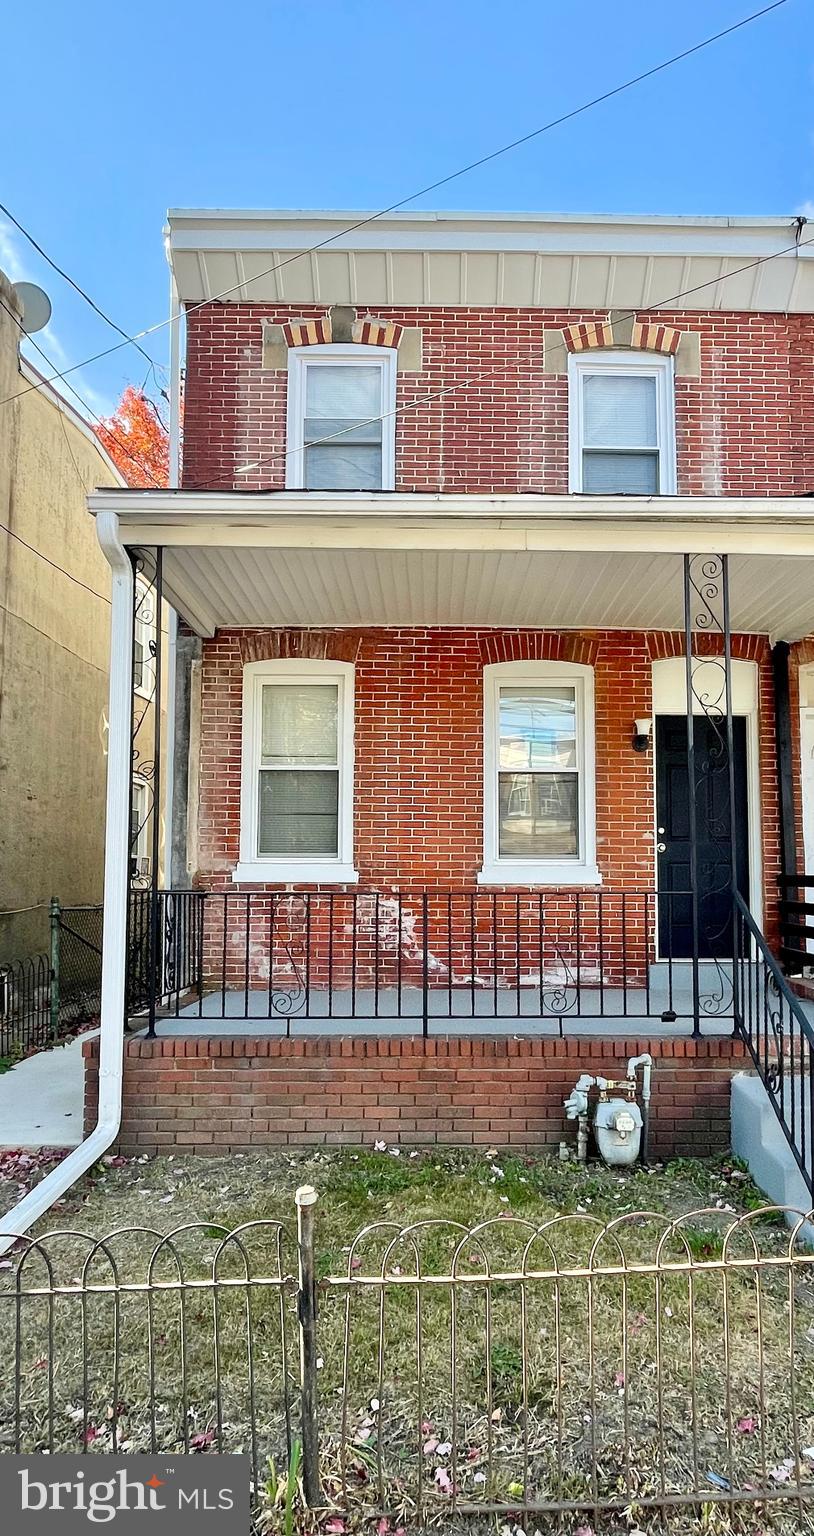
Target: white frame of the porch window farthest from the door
[266,867]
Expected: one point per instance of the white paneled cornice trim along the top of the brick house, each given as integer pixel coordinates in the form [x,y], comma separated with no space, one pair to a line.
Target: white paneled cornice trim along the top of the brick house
[517,260]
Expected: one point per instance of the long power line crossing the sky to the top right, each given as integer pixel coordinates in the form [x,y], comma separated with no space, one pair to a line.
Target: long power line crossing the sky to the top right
[432,187]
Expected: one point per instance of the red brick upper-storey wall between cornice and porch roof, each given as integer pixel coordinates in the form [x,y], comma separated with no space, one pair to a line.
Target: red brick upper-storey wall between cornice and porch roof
[746,428]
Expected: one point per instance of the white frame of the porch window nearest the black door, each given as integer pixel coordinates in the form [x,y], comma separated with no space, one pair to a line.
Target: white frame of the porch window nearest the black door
[541,872]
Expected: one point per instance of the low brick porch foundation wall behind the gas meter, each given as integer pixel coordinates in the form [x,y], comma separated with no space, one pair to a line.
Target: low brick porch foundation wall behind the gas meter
[214,1096]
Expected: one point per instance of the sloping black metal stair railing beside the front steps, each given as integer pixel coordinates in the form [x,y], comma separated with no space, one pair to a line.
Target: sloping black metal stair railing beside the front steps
[779,1036]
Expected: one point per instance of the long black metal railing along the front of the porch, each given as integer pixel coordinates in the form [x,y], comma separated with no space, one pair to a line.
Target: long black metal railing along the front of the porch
[425,958]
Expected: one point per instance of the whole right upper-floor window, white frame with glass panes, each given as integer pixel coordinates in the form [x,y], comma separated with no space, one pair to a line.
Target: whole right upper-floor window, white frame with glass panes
[621,426]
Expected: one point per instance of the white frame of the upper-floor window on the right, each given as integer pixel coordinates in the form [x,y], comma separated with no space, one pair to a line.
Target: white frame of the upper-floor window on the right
[624,363]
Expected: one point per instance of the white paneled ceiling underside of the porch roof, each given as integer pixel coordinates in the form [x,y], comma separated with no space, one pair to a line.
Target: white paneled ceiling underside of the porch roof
[217,586]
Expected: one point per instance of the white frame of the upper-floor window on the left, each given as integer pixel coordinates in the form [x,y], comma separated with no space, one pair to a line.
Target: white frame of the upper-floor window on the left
[354,356]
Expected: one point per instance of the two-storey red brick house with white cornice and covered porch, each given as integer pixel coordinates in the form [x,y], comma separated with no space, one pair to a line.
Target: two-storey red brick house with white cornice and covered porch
[495,572]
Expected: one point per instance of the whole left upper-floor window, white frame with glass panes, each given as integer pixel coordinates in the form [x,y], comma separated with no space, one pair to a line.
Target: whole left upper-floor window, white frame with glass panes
[342,425]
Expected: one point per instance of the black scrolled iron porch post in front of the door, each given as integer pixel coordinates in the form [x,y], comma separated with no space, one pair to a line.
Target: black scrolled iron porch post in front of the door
[710,697]
